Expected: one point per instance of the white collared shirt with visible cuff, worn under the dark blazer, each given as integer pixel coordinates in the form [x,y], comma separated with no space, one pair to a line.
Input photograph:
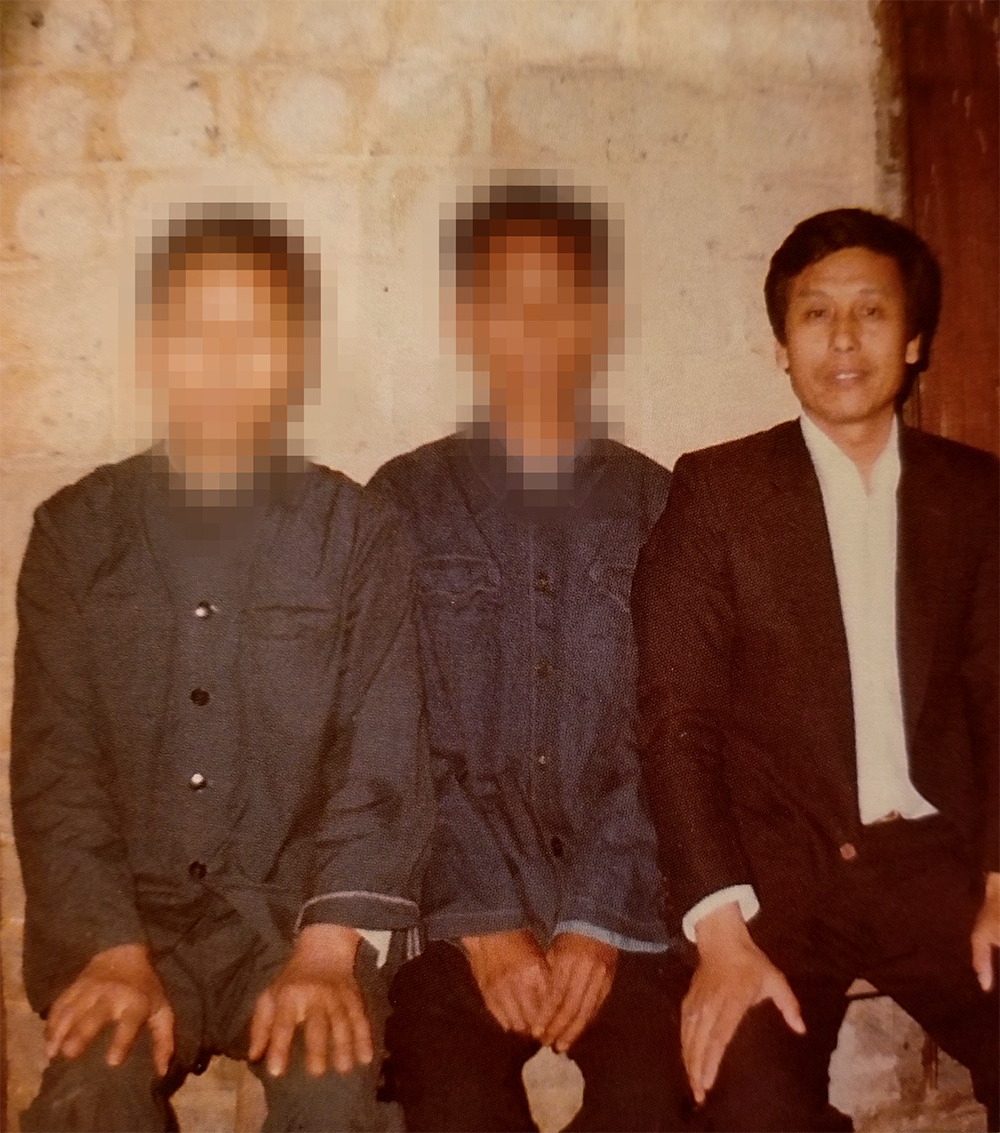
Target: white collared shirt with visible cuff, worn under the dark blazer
[862,525]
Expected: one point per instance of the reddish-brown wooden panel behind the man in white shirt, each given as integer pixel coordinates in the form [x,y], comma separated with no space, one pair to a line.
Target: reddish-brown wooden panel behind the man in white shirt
[952,87]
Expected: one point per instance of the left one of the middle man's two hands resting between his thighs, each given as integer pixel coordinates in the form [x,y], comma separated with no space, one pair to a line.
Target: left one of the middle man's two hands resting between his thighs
[514,977]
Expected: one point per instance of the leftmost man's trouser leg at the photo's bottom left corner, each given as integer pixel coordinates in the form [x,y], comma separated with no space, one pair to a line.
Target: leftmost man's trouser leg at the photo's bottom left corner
[86,1095]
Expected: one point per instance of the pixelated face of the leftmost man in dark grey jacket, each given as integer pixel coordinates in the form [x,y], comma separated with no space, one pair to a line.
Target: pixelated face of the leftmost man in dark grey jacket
[225,361]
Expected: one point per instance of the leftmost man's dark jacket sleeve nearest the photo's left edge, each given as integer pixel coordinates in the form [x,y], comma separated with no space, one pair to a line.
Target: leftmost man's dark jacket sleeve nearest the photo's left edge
[80,889]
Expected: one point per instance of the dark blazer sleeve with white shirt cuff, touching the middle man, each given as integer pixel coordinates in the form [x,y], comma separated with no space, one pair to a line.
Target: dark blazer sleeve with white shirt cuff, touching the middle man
[685,618]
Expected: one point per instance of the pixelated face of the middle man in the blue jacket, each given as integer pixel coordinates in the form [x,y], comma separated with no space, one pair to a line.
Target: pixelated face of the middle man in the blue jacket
[534,327]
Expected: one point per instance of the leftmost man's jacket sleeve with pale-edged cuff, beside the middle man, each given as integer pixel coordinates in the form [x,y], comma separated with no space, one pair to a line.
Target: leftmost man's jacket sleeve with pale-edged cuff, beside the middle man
[377,821]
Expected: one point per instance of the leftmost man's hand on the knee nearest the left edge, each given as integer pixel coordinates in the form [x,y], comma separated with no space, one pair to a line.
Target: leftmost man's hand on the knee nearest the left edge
[118,986]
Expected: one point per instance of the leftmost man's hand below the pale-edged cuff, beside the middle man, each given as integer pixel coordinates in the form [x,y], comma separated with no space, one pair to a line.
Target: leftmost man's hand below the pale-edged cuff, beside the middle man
[317,991]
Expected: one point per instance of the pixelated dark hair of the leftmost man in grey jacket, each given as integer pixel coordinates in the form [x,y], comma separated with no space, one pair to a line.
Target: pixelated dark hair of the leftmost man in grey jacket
[245,231]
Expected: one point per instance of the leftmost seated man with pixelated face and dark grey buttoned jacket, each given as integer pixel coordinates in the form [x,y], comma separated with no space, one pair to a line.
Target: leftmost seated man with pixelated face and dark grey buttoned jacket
[219,780]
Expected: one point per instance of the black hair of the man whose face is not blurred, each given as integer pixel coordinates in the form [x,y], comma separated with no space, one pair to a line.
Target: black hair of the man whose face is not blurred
[832,232]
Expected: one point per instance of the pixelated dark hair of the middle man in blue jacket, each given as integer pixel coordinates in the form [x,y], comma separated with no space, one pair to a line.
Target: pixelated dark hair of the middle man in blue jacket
[580,226]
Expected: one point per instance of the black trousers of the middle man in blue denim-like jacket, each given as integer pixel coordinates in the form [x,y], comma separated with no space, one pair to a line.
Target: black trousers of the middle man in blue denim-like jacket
[455,1068]
